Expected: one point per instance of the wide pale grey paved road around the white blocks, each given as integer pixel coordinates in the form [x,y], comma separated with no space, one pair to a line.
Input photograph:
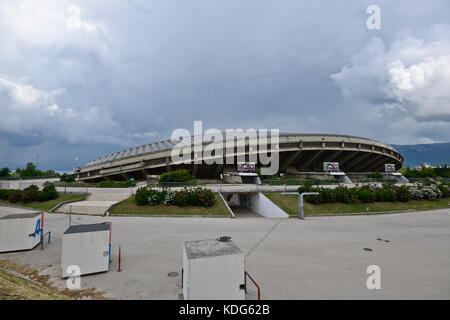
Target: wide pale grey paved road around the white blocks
[318,258]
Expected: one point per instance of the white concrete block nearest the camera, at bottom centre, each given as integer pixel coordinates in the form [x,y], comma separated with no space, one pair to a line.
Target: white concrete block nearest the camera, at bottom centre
[213,270]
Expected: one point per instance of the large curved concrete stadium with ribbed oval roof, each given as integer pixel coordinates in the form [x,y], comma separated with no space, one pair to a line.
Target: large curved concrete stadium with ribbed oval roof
[298,154]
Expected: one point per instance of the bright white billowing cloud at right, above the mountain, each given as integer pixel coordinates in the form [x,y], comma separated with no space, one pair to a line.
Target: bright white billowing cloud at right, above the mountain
[405,82]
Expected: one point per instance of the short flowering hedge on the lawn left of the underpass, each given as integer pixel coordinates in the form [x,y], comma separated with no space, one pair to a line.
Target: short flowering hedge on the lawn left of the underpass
[186,197]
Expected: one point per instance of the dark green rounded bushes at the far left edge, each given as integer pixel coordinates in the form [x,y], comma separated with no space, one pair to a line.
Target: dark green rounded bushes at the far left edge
[30,194]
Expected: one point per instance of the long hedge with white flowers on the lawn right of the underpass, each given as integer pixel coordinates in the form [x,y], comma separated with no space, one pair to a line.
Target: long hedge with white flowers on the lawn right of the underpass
[370,193]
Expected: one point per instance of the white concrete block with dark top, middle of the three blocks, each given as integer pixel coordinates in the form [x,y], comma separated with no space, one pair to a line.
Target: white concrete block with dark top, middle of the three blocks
[86,246]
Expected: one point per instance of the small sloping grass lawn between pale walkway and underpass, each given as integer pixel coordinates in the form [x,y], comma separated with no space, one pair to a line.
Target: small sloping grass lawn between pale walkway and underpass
[129,206]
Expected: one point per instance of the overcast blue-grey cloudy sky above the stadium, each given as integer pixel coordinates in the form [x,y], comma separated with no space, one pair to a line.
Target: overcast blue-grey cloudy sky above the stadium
[86,78]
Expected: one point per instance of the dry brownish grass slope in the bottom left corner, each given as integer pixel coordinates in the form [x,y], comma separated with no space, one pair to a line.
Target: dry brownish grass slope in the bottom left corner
[19,282]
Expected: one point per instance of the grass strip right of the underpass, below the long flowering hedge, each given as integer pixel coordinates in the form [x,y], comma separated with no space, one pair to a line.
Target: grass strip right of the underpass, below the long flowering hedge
[290,205]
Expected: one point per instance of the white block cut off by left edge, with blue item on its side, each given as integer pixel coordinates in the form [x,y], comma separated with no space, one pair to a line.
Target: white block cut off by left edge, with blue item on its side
[20,231]
